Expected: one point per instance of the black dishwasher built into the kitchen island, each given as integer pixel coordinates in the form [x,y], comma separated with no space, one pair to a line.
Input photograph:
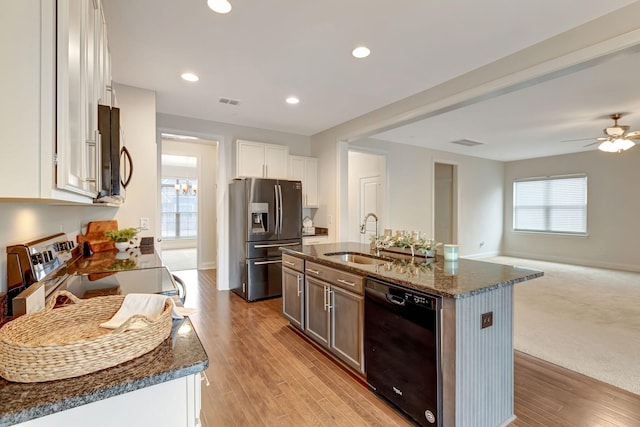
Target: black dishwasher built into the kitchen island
[402,349]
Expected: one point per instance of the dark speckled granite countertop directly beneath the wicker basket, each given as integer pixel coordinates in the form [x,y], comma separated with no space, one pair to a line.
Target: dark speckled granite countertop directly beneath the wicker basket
[179,355]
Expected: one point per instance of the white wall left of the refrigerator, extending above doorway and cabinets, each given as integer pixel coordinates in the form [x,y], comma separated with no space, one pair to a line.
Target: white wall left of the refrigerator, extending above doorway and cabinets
[226,135]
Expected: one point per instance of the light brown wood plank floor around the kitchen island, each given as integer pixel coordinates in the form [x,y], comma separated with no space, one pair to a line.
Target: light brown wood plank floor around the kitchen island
[262,373]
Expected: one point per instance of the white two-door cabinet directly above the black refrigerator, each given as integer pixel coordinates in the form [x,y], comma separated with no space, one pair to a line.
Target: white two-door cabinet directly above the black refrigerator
[260,160]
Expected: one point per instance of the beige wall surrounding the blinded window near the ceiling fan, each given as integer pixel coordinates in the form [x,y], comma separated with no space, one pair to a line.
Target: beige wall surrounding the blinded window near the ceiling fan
[613,210]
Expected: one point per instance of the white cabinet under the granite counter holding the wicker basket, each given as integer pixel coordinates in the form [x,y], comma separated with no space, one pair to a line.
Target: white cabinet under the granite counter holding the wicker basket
[175,403]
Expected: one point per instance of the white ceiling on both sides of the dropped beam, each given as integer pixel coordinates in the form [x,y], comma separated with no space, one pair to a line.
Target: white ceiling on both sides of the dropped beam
[264,51]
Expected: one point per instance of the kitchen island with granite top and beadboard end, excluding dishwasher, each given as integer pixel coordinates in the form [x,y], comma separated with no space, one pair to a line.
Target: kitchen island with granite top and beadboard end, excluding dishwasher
[476,356]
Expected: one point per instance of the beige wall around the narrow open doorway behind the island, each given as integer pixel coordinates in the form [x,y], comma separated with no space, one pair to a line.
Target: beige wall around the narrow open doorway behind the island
[410,171]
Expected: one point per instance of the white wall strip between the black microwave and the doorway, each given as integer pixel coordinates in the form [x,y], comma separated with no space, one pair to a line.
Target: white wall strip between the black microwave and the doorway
[138,120]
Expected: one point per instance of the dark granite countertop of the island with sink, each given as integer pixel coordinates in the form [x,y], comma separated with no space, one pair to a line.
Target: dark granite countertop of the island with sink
[459,279]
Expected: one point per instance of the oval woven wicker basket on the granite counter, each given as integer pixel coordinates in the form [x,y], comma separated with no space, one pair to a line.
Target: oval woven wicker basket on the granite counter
[68,341]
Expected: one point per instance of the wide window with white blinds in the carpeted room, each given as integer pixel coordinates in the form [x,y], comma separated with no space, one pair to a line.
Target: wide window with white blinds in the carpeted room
[551,205]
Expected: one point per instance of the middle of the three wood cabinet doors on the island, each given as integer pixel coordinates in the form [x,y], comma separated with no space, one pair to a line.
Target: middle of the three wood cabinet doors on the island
[316,313]
